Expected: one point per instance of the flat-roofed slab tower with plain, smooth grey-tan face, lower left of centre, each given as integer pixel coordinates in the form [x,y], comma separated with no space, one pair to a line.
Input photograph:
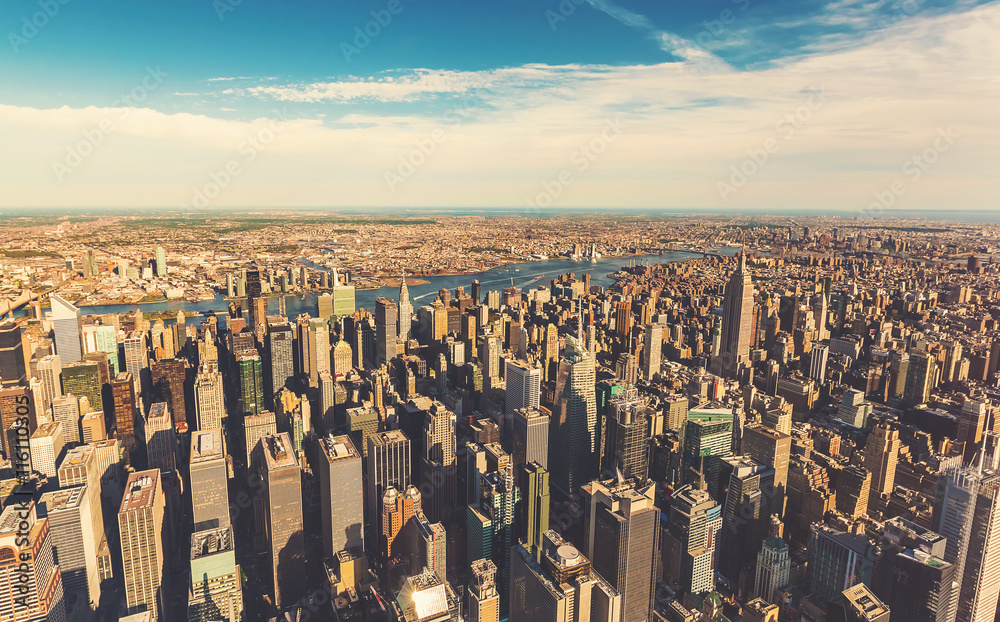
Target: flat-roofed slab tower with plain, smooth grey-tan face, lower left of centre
[341,501]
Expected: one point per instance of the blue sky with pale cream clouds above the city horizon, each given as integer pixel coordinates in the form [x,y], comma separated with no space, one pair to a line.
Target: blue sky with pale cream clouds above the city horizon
[868,105]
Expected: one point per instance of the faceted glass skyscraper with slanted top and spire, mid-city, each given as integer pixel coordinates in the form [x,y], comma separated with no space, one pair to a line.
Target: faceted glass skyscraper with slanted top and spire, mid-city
[574,422]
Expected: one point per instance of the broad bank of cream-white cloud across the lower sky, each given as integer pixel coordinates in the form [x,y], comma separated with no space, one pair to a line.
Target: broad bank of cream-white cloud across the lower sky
[687,124]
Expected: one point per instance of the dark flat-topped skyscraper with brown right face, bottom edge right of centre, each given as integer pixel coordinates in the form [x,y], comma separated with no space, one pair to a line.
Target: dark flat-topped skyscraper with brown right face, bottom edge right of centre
[622,532]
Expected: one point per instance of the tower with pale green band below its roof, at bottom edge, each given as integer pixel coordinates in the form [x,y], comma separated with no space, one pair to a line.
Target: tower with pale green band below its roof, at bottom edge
[216,580]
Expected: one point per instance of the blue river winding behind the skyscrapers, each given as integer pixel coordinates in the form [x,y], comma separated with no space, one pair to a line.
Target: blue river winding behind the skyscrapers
[525,275]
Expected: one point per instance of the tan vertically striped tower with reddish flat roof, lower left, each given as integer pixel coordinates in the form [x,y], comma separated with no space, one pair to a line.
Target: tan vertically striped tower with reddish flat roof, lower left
[140,523]
